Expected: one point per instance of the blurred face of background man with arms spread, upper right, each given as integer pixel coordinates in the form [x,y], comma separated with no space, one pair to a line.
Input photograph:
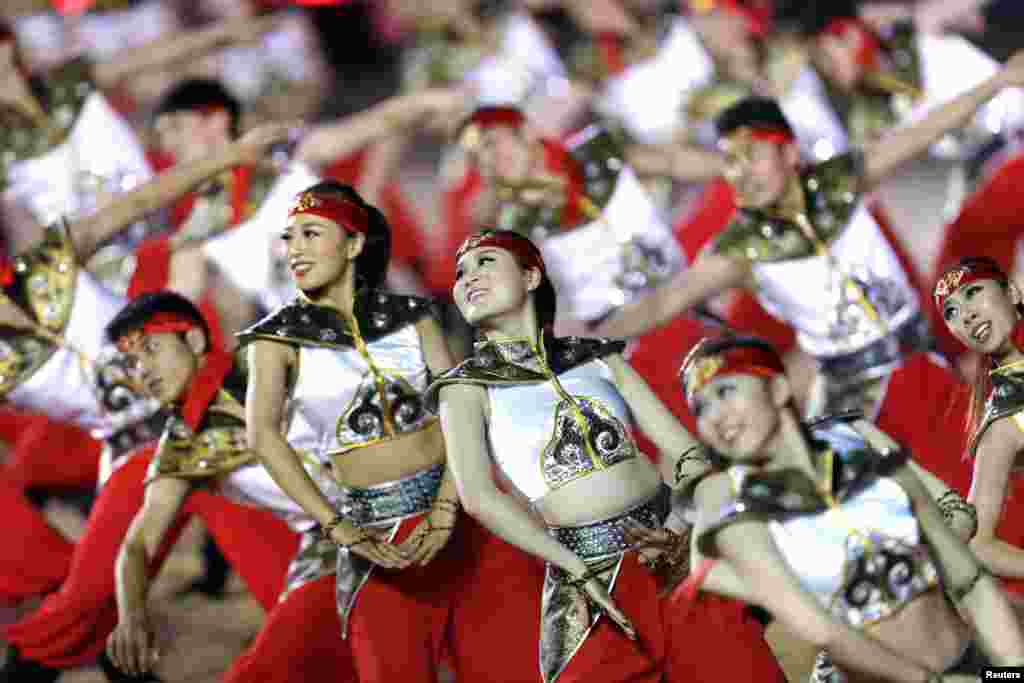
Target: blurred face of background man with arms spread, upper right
[760,172]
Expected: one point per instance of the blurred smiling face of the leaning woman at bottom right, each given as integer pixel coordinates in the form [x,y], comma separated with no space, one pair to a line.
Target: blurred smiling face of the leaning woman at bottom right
[739,415]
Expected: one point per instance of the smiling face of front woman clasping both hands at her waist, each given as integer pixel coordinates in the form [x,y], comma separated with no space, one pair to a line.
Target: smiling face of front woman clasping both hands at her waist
[320,253]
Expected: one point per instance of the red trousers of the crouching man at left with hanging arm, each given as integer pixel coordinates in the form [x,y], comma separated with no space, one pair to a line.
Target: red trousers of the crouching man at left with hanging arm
[71,627]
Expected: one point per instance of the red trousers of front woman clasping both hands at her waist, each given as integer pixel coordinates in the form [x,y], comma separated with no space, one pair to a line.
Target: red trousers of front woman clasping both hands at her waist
[398,629]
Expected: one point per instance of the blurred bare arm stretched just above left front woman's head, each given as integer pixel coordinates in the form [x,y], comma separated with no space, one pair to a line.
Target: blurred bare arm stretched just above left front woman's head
[327,143]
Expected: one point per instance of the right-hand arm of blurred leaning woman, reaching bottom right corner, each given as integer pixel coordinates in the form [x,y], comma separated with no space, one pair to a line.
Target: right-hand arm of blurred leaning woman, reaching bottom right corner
[974,591]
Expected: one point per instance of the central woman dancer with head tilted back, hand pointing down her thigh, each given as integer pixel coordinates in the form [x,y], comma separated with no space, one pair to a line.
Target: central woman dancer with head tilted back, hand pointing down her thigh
[554,414]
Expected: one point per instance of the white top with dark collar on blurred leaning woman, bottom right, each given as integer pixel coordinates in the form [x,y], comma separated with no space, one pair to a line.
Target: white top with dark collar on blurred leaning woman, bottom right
[860,549]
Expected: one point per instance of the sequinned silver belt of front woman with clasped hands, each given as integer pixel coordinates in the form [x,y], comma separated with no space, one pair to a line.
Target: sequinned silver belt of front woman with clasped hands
[393,500]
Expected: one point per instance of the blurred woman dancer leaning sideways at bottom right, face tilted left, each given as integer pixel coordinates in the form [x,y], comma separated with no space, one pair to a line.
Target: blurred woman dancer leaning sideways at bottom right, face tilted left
[828,528]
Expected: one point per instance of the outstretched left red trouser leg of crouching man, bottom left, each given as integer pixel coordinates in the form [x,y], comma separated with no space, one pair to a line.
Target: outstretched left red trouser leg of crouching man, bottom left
[70,628]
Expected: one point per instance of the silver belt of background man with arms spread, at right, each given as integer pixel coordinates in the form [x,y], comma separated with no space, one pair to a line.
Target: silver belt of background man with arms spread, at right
[879,358]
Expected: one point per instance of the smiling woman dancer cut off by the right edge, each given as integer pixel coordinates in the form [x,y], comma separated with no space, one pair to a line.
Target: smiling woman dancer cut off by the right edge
[983,310]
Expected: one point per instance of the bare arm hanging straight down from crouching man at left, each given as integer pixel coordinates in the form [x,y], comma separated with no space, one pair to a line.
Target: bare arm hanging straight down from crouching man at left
[132,647]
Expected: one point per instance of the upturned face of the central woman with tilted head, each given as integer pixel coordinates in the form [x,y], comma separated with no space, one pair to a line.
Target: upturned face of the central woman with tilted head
[491,284]
